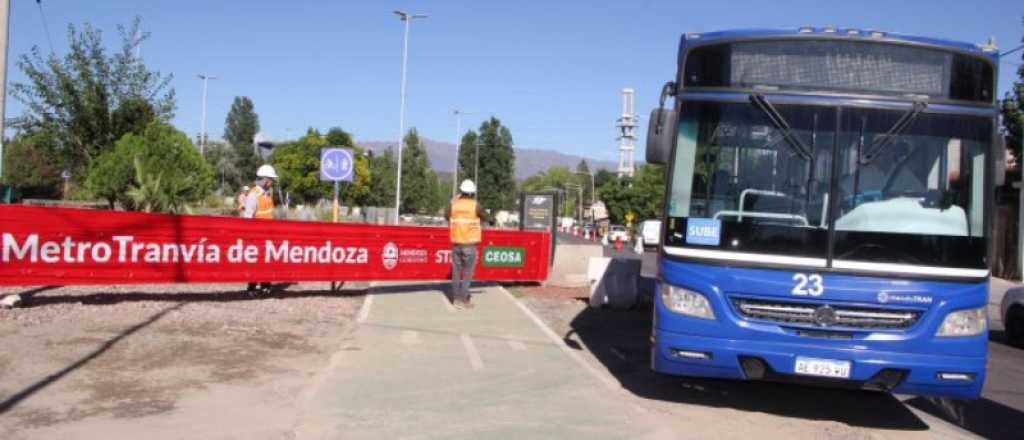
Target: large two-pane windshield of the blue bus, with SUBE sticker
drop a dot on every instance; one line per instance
(777, 181)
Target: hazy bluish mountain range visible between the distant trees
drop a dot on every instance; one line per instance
(528, 161)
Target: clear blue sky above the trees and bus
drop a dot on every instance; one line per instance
(551, 71)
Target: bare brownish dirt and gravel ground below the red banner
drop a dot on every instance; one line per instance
(165, 362)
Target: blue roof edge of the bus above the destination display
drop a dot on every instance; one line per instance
(842, 33)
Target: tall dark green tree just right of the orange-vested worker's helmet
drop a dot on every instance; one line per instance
(497, 184)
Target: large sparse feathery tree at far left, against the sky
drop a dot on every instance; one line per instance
(90, 100)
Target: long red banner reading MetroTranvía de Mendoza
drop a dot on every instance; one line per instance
(58, 246)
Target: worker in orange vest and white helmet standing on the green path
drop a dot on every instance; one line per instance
(464, 215)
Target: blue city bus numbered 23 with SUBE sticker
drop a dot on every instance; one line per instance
(829, 209)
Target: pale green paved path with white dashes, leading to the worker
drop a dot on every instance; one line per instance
(418, 369)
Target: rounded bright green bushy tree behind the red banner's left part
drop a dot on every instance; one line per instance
(168, 163)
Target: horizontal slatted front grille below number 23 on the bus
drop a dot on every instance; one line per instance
(826, 316)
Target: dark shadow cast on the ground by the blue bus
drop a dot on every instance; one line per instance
(620, 340)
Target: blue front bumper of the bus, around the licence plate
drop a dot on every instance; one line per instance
(923, 375)
